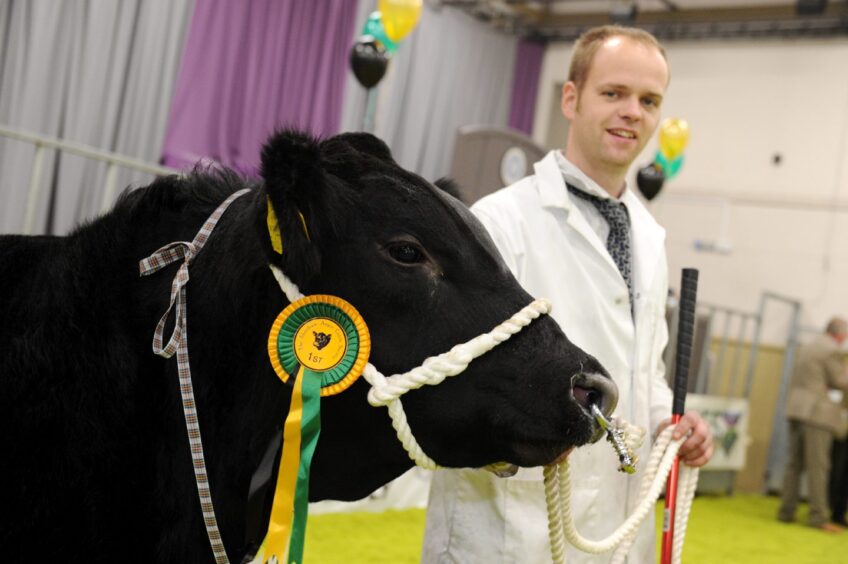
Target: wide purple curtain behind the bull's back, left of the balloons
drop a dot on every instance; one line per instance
(251, 66)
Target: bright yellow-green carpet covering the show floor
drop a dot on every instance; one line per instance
(722, 530)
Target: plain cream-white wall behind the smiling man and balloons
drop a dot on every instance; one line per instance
(746, 101)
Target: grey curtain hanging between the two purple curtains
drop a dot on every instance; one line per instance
(450, 71)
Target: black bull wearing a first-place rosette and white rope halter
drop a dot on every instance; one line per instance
(95, 459)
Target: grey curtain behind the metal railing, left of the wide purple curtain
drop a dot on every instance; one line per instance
(98, 72)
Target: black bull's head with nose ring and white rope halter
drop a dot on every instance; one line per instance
(425, 275)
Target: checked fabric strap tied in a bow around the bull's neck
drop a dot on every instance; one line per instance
(178, 343)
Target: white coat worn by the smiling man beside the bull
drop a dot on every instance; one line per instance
(475, 517)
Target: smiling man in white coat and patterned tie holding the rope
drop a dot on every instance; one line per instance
(561, 246)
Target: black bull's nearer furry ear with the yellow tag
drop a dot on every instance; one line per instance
(295, 186)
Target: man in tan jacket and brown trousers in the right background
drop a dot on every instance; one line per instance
(813, 420)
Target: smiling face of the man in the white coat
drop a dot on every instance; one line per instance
(615, 113)
